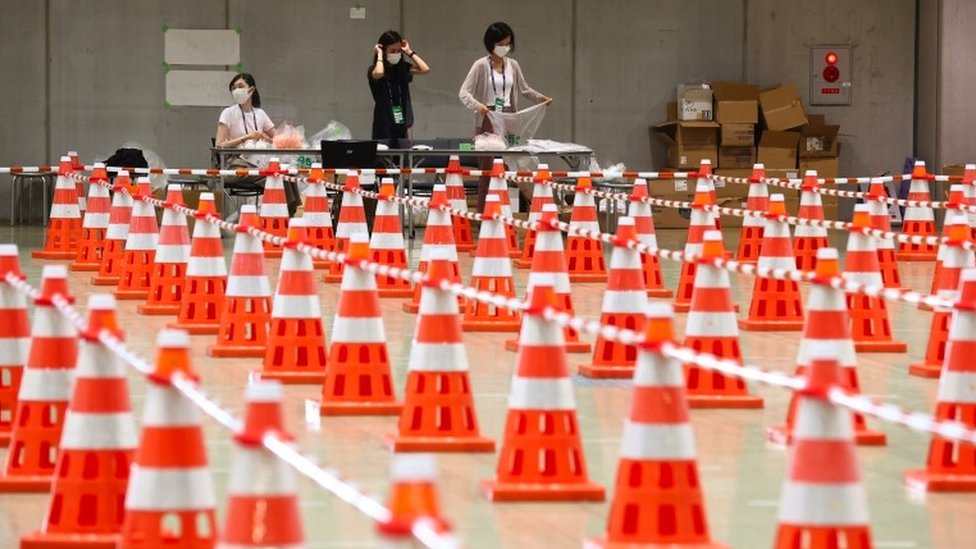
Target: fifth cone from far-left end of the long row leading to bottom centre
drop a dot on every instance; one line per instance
(170, 262)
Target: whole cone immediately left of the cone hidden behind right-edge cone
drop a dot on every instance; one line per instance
(870, 327)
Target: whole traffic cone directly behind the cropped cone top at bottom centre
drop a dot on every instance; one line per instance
(438, 410)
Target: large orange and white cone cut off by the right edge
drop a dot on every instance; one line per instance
(951, 464)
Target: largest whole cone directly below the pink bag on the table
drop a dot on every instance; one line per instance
(296, 340)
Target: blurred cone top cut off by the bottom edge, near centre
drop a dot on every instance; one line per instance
(413, 496)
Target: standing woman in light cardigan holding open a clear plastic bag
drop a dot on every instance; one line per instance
(494, 83)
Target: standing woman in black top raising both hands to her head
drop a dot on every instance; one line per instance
(389, 77)
